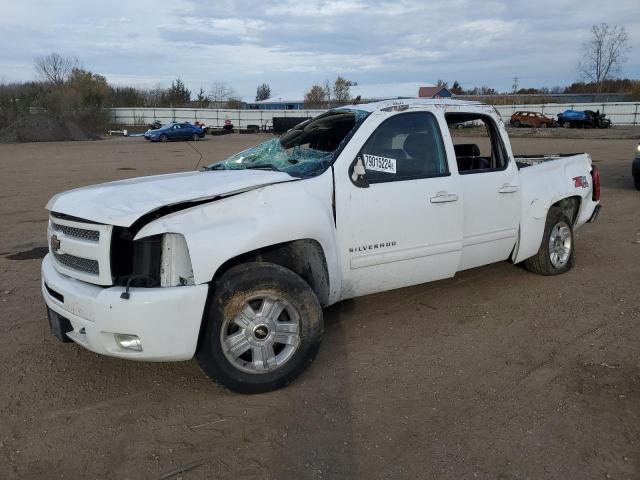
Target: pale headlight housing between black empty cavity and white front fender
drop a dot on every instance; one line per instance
(175, 262)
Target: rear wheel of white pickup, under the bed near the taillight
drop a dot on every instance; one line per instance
(556, 253)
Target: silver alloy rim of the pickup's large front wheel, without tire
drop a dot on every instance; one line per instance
(263, 336)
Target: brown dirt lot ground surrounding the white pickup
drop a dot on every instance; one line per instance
(496, 373)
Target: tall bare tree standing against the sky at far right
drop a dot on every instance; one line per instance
(604, 53)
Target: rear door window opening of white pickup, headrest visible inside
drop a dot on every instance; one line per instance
(485, 151)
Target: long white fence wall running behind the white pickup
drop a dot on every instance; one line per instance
(620, 113)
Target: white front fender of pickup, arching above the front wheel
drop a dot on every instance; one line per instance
(226, 228)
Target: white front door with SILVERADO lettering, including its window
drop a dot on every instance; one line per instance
(400, 224)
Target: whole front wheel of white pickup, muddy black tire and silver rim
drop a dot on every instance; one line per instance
(263, 328)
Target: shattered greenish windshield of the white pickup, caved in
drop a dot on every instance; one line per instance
(306, 150)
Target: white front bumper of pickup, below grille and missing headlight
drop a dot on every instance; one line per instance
(166, 320)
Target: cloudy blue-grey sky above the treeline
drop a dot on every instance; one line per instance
(292, 44)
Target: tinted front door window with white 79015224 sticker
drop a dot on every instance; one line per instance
(407, 146)
